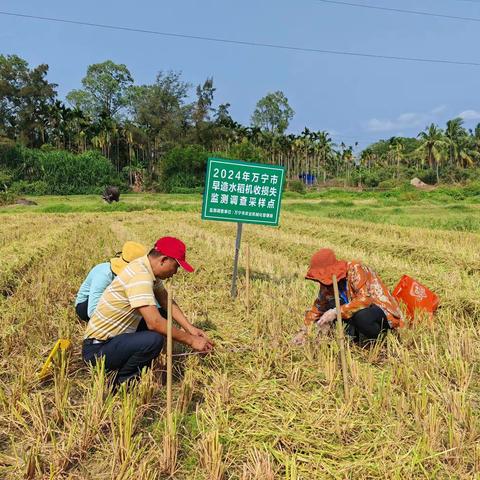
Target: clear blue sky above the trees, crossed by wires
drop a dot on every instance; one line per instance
(356, 99)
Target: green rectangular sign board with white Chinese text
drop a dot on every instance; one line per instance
(245, 192)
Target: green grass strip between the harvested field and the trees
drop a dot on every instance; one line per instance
(403, 206)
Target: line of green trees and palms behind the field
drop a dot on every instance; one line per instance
(159, 135)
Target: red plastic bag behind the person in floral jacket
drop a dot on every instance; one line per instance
(415, 296)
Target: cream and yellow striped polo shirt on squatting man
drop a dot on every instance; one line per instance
(116, 312)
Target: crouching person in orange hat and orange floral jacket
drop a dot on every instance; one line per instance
(367, 307)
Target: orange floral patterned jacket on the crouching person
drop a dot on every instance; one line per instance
(364, 287)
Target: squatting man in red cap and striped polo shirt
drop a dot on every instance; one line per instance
(112, 330)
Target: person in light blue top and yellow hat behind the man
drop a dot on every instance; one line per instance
(101, 276)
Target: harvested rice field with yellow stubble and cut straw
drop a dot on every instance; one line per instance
(257, 408)
